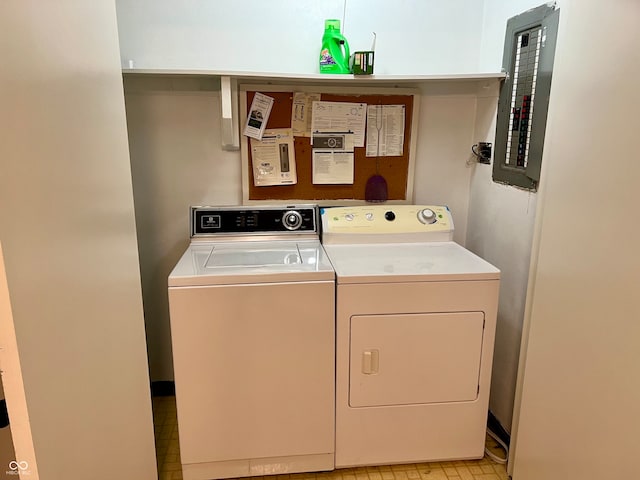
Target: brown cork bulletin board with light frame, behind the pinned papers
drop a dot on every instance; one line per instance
(397, 170)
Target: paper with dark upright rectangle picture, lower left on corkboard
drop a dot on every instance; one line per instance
(273, 158)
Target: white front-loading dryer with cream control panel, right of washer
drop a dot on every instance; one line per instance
(415, 325)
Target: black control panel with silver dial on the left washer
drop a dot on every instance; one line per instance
(249, 220)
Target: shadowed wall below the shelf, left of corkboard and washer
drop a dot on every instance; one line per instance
(176, 161)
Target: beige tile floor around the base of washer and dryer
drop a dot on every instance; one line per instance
(168, 456)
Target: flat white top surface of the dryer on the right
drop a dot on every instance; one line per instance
(408, 262)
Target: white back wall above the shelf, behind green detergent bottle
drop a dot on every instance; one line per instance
(285, 36)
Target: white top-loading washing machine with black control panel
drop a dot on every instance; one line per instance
(252, 325)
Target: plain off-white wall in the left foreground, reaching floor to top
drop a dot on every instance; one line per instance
(68, 233)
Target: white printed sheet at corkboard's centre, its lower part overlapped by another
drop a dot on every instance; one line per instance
(340, 117)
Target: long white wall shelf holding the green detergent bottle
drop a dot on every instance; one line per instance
(315, 77)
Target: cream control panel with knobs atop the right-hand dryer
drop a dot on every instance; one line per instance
(381, 223)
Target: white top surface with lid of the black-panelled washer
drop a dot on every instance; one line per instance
(224, 263)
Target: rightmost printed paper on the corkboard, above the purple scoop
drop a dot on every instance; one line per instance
(385, 130)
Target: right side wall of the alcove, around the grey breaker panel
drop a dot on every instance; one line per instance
(501, 220)
